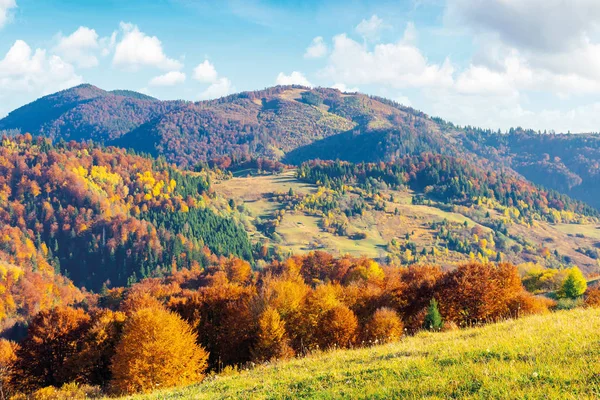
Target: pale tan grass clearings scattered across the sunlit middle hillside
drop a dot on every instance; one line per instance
(301, 233)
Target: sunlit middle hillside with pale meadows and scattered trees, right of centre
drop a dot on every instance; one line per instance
(304, 210)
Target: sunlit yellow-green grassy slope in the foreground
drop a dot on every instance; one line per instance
(552, 356)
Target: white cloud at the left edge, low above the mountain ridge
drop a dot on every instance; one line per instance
(26, 74)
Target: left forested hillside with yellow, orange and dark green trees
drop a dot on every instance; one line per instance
(102, 216)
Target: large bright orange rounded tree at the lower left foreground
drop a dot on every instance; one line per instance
(158, 349)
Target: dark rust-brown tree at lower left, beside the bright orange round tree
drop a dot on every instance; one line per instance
(48, 353)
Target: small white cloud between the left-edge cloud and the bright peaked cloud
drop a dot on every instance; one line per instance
(79, 48)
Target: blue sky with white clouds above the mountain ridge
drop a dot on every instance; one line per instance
(490, 63)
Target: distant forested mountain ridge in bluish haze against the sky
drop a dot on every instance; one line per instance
(294, 124)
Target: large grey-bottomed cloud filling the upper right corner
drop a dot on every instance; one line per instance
(536, 44)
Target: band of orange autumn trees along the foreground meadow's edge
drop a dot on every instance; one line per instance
(173, 330)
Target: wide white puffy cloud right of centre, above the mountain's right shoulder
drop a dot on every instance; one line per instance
(398, 65)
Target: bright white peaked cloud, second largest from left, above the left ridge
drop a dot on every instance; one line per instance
(136, 49)
